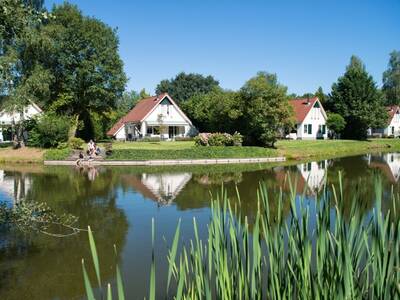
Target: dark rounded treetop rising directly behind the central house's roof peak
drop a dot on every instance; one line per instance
(185, 86)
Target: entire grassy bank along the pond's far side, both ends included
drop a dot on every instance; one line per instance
(292, 150)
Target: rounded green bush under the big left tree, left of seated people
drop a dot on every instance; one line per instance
(49, 131)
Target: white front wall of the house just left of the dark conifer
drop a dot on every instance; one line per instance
(315, 117)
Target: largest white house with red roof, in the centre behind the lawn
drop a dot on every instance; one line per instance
(156, 116)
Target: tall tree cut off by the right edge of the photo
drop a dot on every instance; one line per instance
(391, 79)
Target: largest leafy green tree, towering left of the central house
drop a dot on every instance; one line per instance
(81, 55)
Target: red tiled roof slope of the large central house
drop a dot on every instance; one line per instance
(141, 109)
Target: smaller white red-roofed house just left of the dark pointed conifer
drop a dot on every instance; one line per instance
(310, 119)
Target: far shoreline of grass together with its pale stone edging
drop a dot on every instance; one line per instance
(289, 151)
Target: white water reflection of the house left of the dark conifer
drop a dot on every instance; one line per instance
(314, 173)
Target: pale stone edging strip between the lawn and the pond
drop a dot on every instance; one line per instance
(165, 162)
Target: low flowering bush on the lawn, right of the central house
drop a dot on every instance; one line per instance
(218, 139)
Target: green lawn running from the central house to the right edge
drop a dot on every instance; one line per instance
(290, 149)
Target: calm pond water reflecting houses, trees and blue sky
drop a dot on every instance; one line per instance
(119, 204)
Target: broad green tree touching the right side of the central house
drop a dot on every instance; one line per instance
(216, 111)
